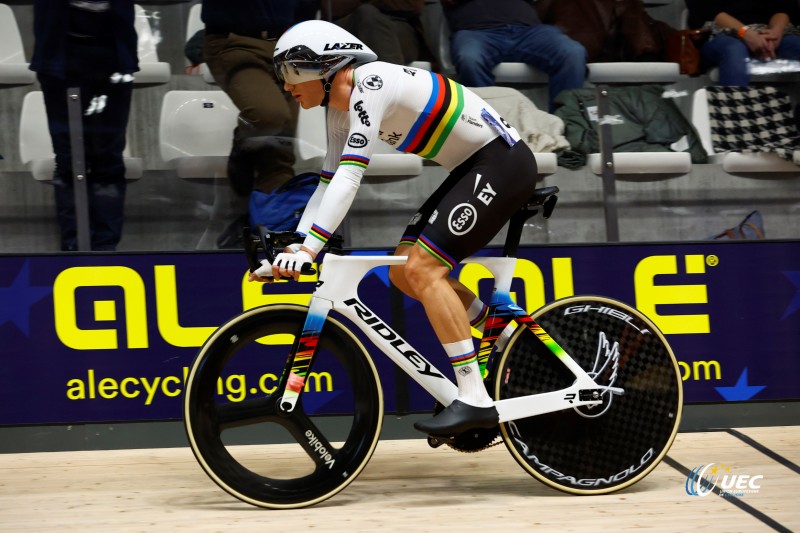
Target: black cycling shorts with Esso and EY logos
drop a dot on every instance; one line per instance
(475, 201)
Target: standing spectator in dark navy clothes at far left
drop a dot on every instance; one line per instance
(90, 45)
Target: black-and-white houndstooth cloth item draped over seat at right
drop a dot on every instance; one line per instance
(752, 119)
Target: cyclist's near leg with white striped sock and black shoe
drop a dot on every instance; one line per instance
(428, 278)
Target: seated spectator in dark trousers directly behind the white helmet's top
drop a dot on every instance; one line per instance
(391, 28)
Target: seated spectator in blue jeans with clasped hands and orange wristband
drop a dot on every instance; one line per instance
(745, 29)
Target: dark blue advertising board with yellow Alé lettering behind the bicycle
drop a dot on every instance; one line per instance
(100, 338)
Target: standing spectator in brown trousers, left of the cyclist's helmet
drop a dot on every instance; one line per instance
(239, 41)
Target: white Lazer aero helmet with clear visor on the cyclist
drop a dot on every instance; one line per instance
(315, 50)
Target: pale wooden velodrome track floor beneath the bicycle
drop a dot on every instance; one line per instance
(406, 486)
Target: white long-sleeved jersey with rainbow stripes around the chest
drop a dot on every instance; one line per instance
(412, 110)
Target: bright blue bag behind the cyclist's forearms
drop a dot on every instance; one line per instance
(281, 209)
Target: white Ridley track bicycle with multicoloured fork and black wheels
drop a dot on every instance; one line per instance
(587, 388)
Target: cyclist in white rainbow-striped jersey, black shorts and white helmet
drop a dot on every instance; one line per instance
(415, 111)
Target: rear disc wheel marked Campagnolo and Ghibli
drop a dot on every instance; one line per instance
(604, 448)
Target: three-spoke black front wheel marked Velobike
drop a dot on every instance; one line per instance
(234, 440)
